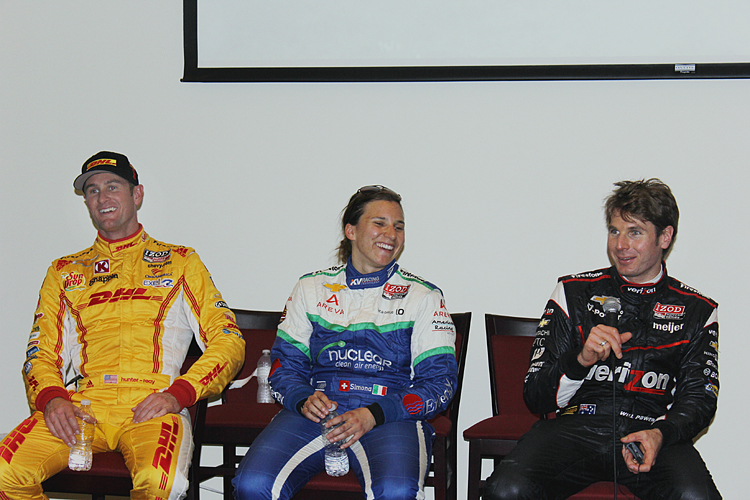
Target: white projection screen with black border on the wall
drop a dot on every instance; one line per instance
(389, 40)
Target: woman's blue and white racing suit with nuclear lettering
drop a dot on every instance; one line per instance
(384, 341)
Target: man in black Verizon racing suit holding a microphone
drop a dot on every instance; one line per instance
(665, 366)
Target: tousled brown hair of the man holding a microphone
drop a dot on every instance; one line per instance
(648, 200)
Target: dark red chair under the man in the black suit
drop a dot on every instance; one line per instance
(509, 341)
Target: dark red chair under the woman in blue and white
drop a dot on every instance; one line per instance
(442, 475)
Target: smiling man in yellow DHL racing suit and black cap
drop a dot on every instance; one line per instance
(118, 318)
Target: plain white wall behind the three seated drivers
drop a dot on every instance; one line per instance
(502, 182)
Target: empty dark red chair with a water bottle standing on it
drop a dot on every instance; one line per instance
(239, 419)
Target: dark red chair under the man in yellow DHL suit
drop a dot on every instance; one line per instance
(109, 475)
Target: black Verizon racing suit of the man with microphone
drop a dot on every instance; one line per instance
(667, 379)
